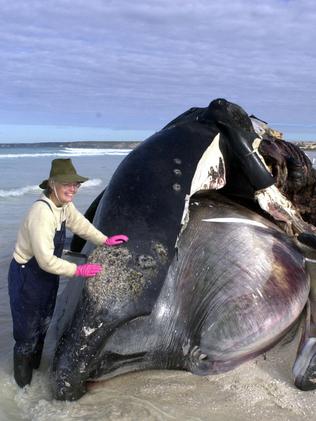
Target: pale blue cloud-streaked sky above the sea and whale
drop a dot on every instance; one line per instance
(121, 69)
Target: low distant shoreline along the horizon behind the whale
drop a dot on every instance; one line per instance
(115, 144)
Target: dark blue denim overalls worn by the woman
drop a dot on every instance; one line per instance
(32, 298)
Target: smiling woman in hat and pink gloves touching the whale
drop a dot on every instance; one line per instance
(36, 265)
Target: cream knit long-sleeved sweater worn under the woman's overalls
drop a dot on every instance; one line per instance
(36, 235)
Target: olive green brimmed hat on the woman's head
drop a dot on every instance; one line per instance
(63, 171)
